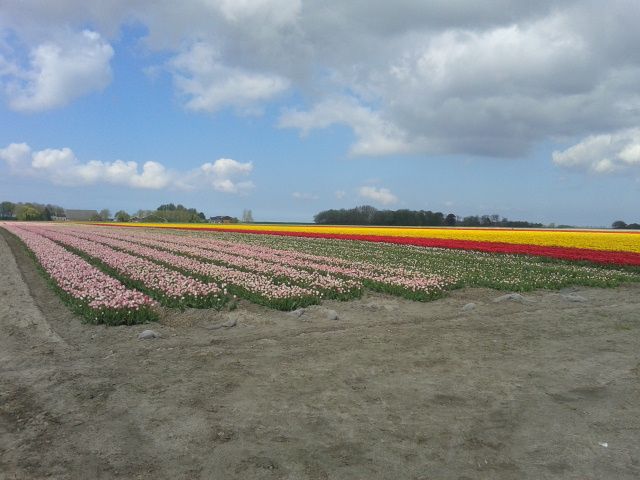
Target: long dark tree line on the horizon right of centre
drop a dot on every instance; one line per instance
(368, 215)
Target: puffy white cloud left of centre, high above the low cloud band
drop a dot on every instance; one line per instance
(209, 85)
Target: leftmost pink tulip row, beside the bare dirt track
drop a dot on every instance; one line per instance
(97, 294)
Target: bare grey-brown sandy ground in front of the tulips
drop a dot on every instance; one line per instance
(541, 388)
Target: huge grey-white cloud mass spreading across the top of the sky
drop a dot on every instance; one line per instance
(445, 77)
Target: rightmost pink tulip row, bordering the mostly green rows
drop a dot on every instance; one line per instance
(385, 278)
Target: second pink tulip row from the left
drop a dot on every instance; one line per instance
(167, 285)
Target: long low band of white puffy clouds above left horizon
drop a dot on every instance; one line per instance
(61, 167)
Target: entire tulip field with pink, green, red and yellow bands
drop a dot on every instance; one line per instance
(111, 274)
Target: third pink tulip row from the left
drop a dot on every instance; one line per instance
(256, 287)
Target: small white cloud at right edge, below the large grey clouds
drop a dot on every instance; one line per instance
(608, 153)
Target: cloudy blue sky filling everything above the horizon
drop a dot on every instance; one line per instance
(529, 110)
